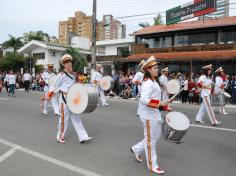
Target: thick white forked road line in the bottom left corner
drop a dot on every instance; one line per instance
(47, 158)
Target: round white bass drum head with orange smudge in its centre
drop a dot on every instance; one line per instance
(78, 97)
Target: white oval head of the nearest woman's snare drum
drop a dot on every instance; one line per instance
(177, 121)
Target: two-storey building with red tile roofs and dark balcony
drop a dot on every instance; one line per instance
(187, 46)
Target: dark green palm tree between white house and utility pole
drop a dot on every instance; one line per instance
(79, 62)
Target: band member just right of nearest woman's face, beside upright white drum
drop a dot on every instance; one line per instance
(163, 81)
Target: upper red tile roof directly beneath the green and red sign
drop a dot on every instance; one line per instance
(227, 21)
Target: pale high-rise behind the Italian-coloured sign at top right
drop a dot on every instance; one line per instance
(222, 10)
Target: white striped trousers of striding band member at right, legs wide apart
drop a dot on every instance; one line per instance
(206, 107)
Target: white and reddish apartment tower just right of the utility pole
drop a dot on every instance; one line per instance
(110, 29)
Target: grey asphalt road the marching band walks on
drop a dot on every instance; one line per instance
(28, 144)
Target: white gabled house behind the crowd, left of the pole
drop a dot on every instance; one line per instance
(48, 53)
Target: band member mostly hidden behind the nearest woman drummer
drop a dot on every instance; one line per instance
(137, 80)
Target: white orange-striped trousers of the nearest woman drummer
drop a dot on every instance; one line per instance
(152, 134)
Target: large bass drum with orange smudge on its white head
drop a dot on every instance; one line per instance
(82, 98)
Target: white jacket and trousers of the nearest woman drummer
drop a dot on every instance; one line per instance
(152, 123)
